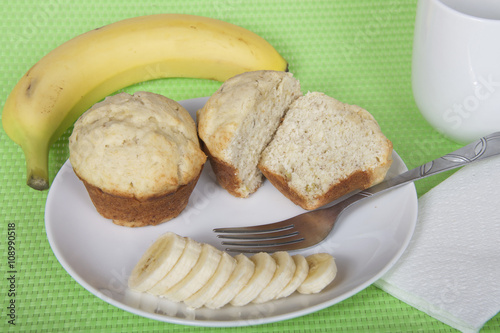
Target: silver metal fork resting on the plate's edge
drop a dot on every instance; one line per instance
(310, 228)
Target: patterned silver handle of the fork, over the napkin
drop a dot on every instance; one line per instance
(483, 148)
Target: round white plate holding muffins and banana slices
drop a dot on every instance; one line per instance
(100, 255)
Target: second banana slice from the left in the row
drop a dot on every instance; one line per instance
(183, 266)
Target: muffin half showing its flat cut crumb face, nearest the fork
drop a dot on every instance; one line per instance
(325, 149)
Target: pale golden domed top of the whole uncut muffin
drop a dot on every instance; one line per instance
(139, 145)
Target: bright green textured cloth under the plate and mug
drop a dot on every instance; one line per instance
(357, 51)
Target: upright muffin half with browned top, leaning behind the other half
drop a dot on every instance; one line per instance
(239, 120)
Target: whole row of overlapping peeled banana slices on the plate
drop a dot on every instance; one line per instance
(181, 269)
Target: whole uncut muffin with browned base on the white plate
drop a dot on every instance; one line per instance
(138, 156)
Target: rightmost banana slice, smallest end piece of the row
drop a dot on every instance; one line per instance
(322, 271)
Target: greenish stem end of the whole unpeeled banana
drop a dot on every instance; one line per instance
(37, 158)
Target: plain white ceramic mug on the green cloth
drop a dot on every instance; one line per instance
(456, 66)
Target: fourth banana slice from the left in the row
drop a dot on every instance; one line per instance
(216, 282)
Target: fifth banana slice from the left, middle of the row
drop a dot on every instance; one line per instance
(241, 275)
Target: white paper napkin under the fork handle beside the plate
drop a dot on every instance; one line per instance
(451, 268)
